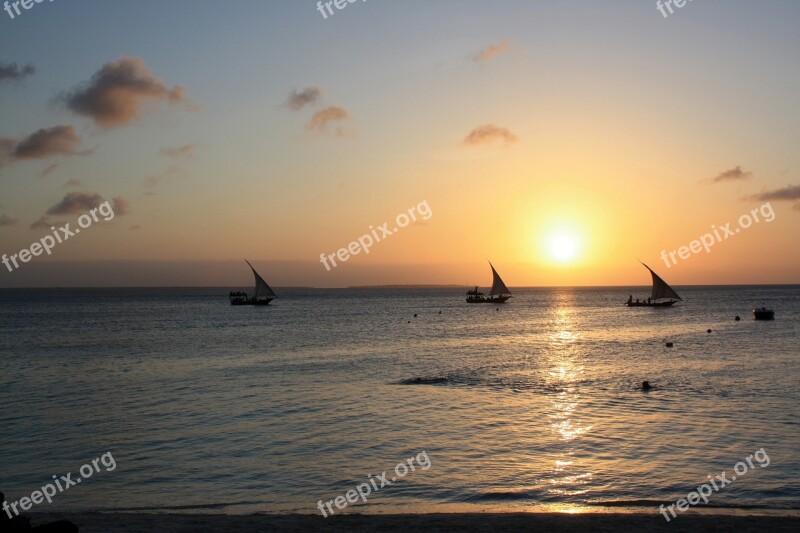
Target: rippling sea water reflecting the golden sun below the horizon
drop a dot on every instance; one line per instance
(533, 405)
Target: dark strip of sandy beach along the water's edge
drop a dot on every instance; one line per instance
(596, 522)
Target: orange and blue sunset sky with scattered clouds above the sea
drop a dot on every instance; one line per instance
(564, 141)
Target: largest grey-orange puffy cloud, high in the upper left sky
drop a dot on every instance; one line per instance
(117, 93)
